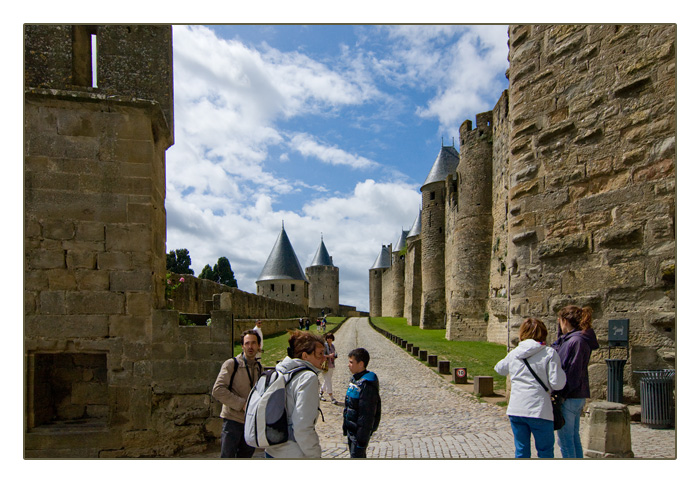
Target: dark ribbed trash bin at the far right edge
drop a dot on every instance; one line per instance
(657, 398)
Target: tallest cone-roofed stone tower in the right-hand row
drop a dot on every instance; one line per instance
(433, 239)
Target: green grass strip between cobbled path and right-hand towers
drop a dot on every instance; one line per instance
(478, 357)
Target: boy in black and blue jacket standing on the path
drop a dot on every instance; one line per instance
(363, 406)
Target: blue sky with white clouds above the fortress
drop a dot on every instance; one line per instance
(331, 129)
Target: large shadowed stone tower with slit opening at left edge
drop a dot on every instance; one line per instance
(94, 236)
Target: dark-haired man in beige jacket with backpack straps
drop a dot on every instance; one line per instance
(235, 381)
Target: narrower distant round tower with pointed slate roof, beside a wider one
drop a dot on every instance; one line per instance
(323, 282)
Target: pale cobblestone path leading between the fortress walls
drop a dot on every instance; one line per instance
(423, 416)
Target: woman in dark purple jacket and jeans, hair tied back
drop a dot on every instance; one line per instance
(574, 346)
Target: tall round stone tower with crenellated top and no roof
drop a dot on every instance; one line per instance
(469, 231)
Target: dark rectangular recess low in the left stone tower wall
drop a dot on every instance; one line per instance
(67, 390)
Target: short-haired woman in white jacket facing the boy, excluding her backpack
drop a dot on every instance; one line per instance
(305, 349)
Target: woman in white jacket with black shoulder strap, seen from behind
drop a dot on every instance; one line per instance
(530, 406)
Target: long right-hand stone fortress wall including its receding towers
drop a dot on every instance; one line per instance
(564, 194)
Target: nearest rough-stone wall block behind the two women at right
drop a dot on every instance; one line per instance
(592, 195)
